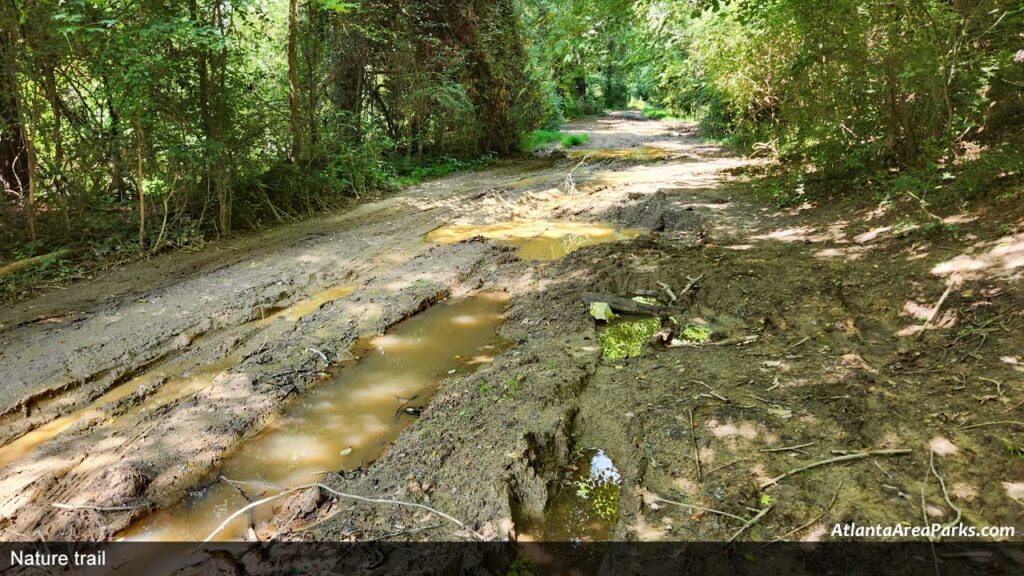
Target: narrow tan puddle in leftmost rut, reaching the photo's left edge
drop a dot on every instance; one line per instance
(178, 383)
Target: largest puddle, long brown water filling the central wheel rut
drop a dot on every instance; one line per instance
(345, 423)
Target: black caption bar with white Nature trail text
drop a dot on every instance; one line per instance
(507, 559)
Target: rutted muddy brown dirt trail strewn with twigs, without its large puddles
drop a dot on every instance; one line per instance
(834, 299)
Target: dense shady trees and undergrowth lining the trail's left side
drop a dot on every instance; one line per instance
(184, 101)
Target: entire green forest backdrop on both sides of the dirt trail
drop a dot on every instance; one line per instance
(135, 128)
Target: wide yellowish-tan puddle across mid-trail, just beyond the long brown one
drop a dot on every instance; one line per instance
(537, 240)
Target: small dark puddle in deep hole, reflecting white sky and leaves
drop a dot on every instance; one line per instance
(585, 508)
